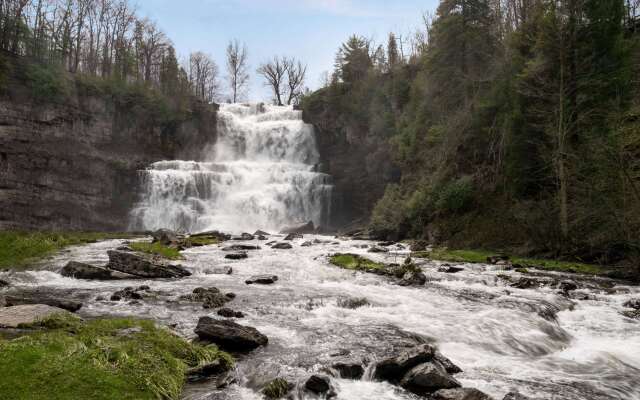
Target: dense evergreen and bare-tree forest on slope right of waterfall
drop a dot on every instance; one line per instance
(511, 124)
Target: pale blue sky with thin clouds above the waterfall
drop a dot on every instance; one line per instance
(310, 30)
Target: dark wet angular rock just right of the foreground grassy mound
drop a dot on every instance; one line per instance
(229, 335)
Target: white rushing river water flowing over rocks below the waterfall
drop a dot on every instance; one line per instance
(503, 338)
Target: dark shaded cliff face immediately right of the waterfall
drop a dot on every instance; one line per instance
(359, 162)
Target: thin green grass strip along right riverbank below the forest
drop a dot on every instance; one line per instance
(480, 256)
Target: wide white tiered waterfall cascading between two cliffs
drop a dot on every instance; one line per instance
(260, 174)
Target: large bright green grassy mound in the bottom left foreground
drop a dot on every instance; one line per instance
(97, 360)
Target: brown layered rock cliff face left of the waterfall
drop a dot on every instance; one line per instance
(74, 165)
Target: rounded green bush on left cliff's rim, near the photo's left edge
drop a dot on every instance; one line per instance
(47, 82)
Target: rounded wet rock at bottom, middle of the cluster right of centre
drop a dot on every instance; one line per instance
(428, 378)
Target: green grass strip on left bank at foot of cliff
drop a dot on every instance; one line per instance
(19, 249)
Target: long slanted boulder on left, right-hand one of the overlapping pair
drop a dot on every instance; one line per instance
(143, 266)
